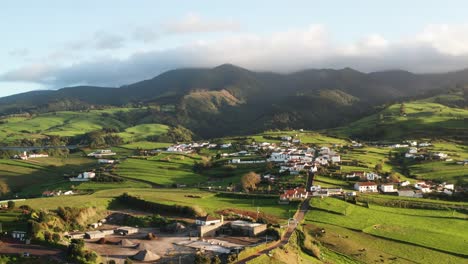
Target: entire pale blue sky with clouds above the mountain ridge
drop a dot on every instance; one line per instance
(52, 44)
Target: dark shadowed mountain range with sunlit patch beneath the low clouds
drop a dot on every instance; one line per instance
(229, 100)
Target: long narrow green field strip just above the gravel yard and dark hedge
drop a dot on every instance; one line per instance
(209, 201)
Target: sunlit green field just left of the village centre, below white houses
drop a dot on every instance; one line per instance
(164, 169)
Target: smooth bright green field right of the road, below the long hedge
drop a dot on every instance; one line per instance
(414, 226)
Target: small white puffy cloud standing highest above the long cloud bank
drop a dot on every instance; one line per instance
(193, 23)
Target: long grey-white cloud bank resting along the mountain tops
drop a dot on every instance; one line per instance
(436, 48)
